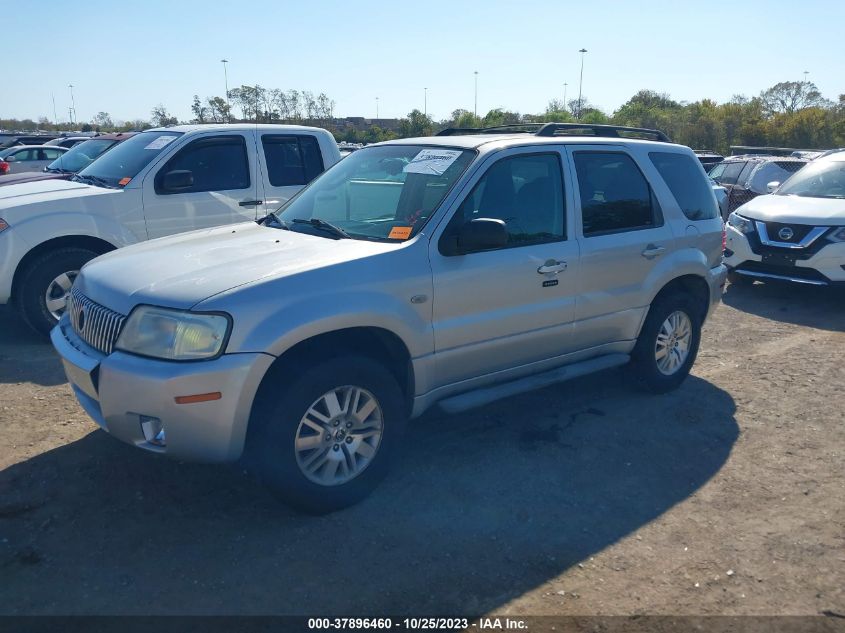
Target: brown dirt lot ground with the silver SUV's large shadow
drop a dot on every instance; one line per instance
(727, 496)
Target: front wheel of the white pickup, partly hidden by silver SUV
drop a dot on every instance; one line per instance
(52, 272)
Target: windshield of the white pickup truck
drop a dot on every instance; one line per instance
(117, 167)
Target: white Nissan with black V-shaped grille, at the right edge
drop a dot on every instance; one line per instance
(795, 234)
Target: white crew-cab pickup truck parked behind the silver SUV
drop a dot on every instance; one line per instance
(157, 183)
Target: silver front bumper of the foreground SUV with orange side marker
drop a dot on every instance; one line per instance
(118, 389)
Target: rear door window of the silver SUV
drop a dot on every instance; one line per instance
(615, 196)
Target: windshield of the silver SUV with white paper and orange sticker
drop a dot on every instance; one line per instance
(384, 193)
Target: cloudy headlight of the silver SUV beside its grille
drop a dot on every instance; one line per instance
(173, 334)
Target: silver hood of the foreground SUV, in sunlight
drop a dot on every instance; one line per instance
(182, 270)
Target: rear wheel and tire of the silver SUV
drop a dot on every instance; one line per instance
(668, 343)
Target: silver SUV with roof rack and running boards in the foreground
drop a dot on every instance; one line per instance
(456, 269)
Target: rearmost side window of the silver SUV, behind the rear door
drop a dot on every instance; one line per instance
(690, 188)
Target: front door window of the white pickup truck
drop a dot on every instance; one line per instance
(216, 163)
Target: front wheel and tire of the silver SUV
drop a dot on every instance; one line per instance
(327, 440)
